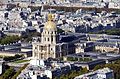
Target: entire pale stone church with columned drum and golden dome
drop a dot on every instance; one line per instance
(49, 45)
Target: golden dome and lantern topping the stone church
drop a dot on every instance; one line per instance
(50, 24)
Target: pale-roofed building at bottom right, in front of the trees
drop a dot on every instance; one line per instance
(104, 73)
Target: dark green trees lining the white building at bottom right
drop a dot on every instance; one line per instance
(115, 66)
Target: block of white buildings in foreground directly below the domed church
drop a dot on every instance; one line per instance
(39, 69)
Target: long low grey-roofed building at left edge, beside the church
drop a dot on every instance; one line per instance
(16, 48)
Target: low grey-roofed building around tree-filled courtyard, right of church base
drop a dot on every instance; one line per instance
(91, 59)
